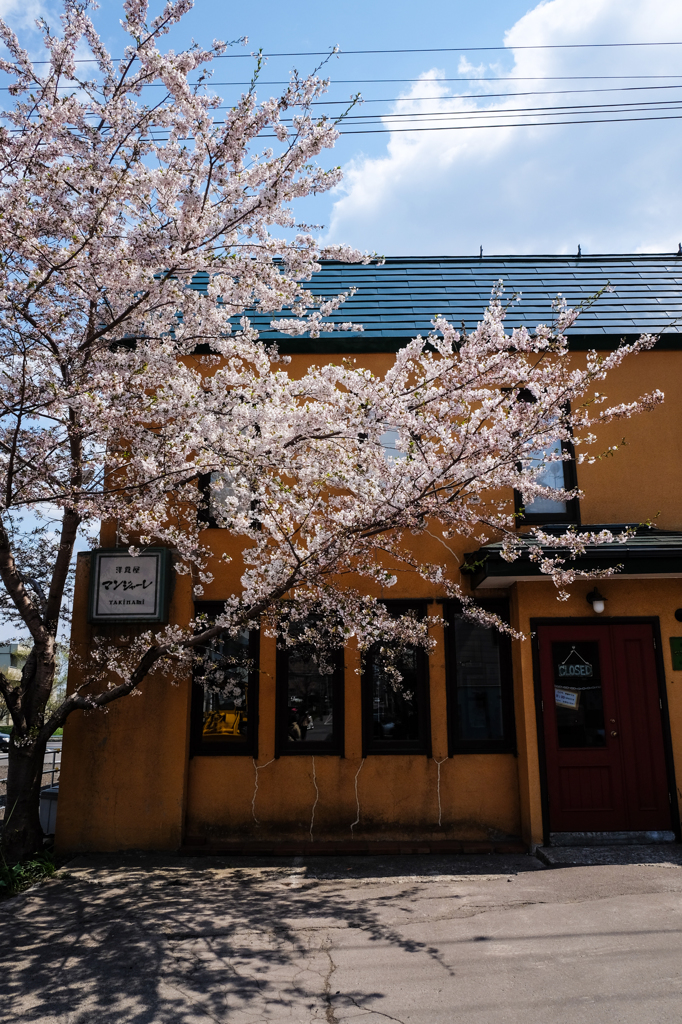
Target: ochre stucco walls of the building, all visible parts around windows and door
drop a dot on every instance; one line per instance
(129, 783)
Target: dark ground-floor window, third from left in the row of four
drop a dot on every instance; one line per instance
(397, 717)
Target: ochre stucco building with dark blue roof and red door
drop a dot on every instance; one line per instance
(579, 729)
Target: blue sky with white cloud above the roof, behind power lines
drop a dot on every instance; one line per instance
(611, 188)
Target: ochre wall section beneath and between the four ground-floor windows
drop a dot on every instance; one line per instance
(398, 795)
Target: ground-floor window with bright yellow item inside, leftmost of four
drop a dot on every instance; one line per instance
(225, 705)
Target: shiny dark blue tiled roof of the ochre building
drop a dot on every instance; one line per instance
(398, 301)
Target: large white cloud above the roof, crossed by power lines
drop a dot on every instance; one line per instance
(610, 188)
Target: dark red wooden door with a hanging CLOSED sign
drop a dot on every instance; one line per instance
(604, 733)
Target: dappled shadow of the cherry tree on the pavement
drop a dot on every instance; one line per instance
(154, 941)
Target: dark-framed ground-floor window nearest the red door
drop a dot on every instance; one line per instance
(481, 708)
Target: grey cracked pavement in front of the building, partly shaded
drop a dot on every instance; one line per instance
(419, 941)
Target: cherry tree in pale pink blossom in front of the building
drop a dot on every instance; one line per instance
(113, 208)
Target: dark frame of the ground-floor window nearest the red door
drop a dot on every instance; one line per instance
(507, 745)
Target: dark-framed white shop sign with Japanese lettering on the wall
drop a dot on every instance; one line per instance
(130, 589)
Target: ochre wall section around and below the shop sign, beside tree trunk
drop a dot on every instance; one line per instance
(124, 772)
